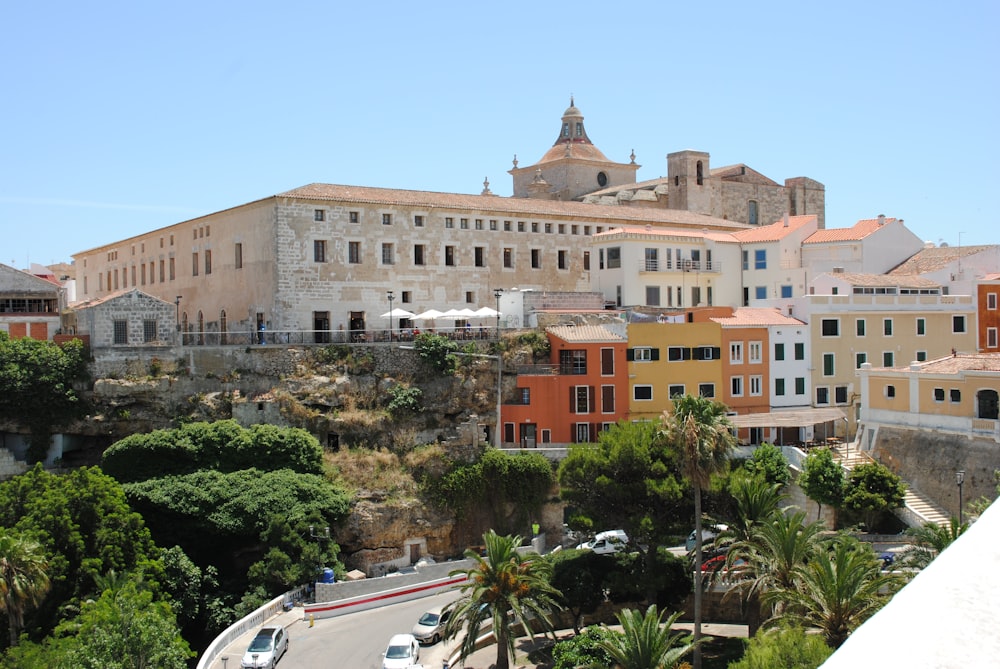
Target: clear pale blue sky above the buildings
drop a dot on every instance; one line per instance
(123, 117)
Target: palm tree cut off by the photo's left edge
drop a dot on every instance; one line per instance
(23, 578)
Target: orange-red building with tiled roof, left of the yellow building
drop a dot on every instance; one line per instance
(583, 389)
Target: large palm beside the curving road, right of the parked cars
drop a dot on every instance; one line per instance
(504, 588)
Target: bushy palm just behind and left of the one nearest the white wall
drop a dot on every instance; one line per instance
(770, 557)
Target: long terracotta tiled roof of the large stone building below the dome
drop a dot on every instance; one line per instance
(508, 206)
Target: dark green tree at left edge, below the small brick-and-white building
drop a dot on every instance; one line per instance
(37, 381)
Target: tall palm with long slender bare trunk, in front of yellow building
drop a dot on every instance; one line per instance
(698, 427)
